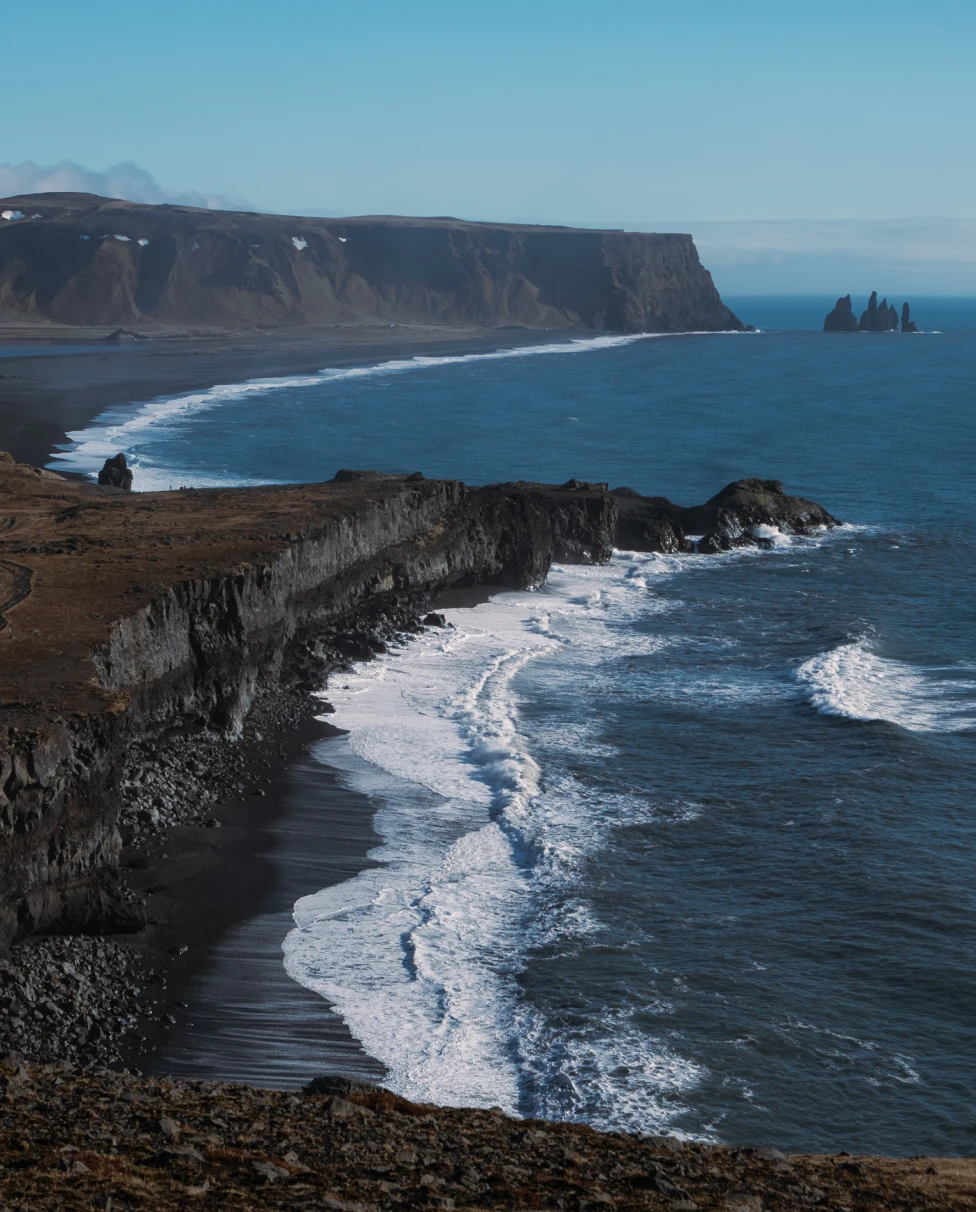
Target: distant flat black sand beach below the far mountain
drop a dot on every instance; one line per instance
(43, 397)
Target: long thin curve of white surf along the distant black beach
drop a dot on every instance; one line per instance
(128, 428)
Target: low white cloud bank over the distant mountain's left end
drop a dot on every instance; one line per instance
(128, 181)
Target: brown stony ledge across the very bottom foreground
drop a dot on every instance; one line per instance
(117, 1142)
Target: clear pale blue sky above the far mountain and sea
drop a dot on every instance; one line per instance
(630, 113)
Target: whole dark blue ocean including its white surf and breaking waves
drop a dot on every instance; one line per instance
(682, 844)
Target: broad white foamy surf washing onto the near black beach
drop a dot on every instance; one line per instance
(481, 864)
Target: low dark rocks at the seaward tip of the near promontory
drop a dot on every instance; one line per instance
(733, 518)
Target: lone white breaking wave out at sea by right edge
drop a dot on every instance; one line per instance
(857, 684)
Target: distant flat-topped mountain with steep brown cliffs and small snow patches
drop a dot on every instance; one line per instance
(77, 259)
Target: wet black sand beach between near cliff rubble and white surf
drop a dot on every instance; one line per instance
(221, 911)
